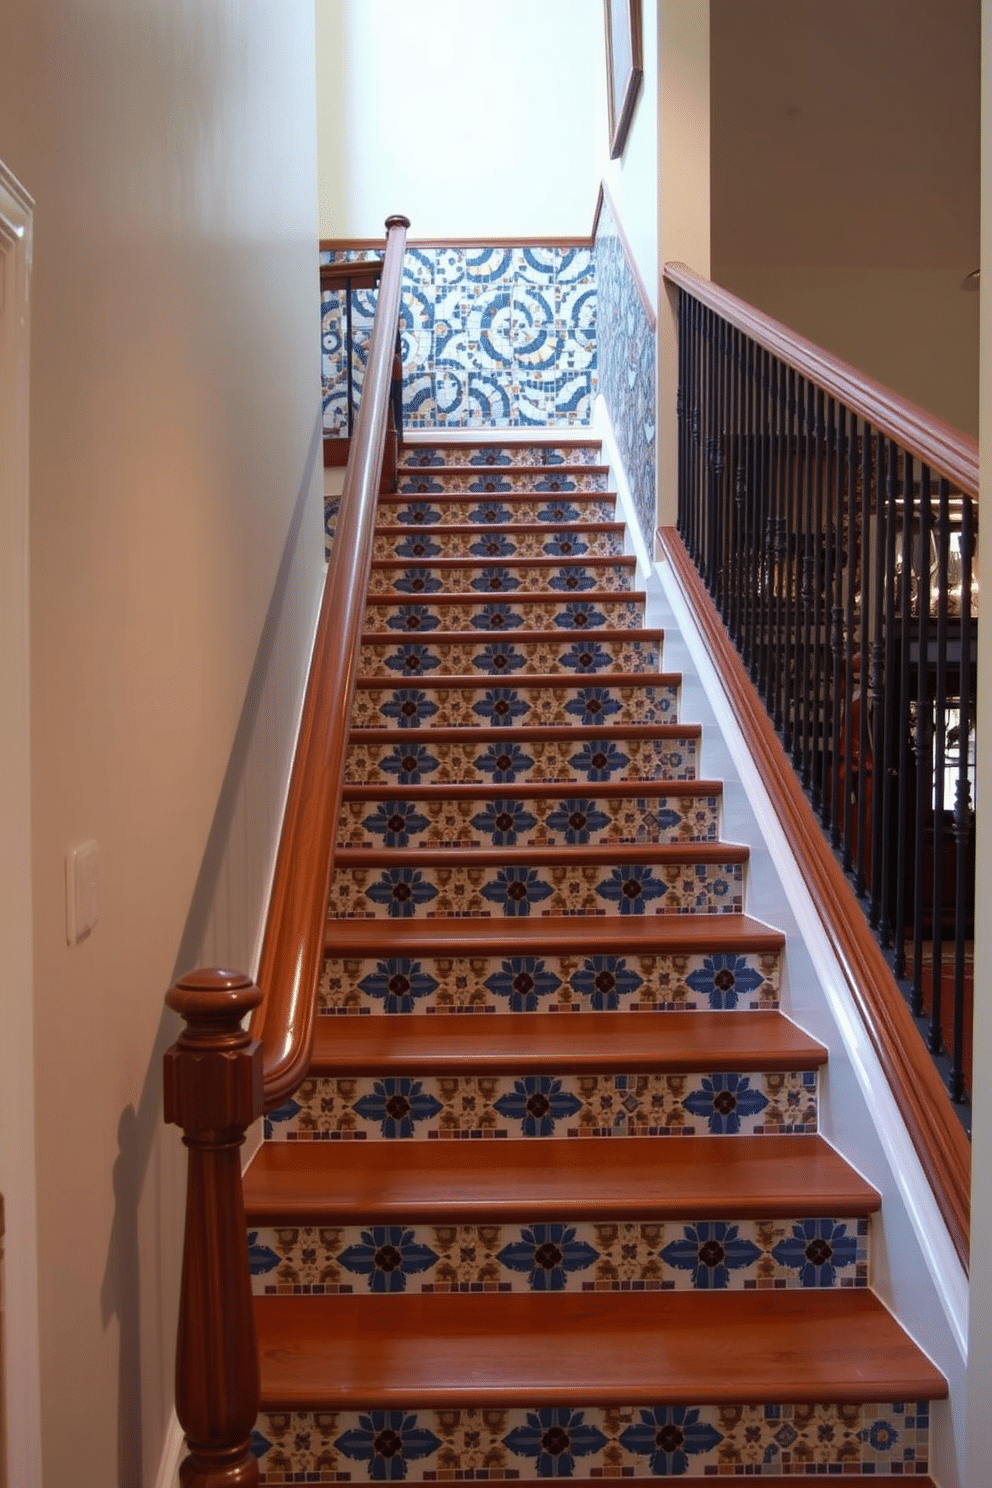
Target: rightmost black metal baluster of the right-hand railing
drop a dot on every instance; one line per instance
(964, 891)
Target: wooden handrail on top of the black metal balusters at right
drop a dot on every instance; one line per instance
(944, 449)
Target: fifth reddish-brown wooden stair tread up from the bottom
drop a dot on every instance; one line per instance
(657, 853)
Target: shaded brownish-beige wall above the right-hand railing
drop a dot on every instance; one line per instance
(846, 182)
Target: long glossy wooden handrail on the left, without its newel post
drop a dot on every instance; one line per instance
(294, 946)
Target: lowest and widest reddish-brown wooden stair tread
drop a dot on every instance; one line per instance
(585, 1349)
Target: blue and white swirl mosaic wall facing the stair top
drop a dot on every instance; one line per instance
(493, 339)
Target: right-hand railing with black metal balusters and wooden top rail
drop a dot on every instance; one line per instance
(835, 527)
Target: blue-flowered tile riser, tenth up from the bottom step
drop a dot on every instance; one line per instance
(420, 617)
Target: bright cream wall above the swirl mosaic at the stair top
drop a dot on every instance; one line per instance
(483, 121)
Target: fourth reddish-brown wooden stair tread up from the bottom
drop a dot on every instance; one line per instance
(579, 935)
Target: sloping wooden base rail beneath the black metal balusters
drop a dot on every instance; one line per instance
(932, 1123)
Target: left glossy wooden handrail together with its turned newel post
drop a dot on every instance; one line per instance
(221, 1078)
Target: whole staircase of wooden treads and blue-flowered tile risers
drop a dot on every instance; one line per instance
(553, 1202)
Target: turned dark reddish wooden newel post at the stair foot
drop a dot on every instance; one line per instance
(213, 1091)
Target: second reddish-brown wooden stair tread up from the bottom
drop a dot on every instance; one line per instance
(527, 1182)
